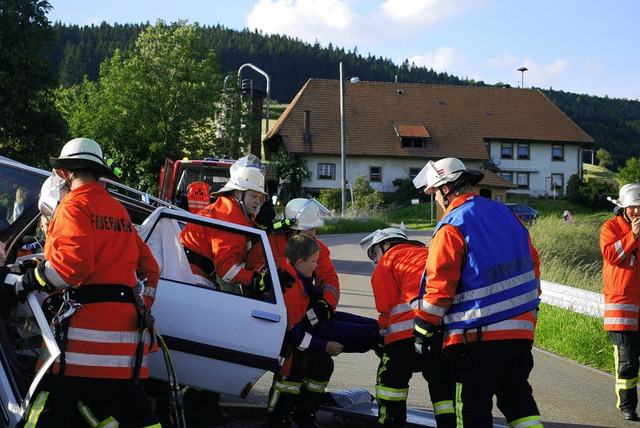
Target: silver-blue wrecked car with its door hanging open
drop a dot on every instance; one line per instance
(218, 341)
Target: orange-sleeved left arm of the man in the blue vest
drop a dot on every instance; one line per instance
(444, 267)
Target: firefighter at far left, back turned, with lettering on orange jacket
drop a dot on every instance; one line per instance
(95, 256)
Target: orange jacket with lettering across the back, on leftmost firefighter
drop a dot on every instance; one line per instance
(91, 240)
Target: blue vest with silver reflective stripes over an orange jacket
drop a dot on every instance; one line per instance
(498, 281)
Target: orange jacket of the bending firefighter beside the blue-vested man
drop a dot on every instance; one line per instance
(396, 287)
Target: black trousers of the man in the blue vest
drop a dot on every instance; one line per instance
(483, 369)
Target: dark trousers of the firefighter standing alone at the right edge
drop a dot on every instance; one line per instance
(626, 352)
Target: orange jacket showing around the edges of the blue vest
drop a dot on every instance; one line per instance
(447, 254)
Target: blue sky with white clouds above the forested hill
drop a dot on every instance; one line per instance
(581, 46)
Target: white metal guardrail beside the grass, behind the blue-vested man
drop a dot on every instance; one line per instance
(577, 300)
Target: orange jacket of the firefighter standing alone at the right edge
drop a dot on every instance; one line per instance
(620, 275)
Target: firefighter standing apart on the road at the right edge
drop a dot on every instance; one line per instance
(621, 278)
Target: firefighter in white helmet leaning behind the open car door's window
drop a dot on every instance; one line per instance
(220, 255)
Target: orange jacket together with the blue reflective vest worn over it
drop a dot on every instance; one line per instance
(482, 271)
